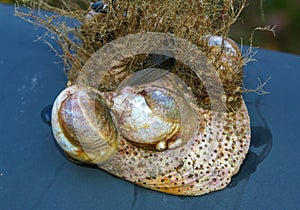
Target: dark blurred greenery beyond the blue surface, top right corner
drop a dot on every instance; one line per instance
(284, 14)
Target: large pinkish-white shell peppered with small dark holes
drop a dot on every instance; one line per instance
(205, 163)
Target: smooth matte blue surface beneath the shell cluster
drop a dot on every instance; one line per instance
(35, 175)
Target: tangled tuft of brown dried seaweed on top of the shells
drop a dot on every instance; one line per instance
(188, 19)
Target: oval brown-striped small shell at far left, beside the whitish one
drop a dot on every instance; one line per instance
(82, 126)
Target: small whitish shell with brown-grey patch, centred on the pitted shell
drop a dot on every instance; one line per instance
(149, 118)
